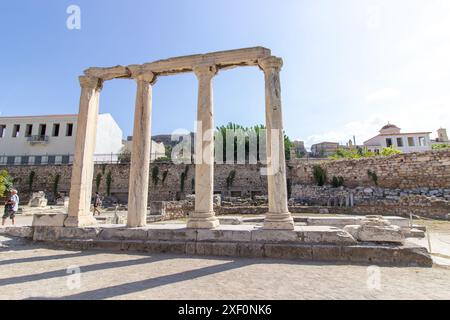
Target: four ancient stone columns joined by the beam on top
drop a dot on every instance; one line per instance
(205, 67)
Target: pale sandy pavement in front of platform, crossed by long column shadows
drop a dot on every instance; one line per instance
(36, 272)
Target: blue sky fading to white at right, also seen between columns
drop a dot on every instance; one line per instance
(349, 65)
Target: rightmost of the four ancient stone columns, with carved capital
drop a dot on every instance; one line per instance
(278, 216)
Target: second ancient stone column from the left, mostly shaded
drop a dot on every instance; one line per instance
(140, 153)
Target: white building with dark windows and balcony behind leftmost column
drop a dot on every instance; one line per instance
(51, 139)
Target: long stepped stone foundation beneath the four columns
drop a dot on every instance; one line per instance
(316, 243)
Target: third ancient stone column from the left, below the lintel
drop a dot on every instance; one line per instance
(203, 217)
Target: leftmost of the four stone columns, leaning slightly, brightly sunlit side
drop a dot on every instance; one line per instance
(83, 164)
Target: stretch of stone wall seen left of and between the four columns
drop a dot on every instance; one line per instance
(247, 181)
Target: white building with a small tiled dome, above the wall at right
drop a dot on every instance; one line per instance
(390, 135)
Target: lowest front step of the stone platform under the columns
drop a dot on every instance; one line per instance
(352, 254)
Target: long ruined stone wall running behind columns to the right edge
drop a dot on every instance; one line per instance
(402, 180)
